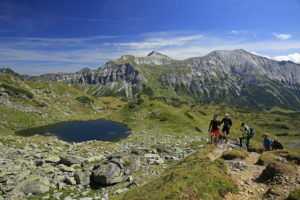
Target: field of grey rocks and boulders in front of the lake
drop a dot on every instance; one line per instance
(54, 169)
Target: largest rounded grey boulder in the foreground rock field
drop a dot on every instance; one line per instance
(108, 174)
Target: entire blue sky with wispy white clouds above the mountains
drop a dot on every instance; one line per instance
(45, 36)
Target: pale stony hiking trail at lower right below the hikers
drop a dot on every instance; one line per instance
(246, 175)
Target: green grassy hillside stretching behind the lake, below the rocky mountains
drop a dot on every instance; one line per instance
(52, 102)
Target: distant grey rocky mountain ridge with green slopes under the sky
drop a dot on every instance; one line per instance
(234, 77)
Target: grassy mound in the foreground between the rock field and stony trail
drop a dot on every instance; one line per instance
(196, 177)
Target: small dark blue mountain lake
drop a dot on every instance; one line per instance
(80, 131)
